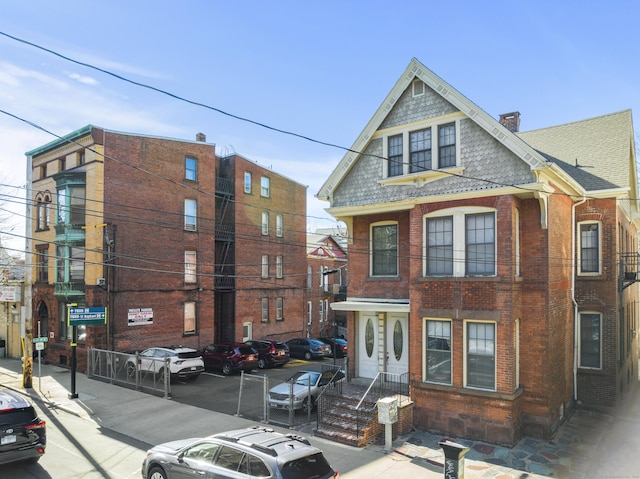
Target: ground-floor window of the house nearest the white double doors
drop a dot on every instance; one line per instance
(437, 356)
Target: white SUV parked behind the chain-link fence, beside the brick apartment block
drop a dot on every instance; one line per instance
(184, 363)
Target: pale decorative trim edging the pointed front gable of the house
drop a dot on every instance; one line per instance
(417, 70)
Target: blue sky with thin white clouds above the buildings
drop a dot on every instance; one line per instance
(317, 69)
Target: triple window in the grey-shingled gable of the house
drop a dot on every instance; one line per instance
(428, 148)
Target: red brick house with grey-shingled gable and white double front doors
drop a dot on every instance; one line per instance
(496, 267)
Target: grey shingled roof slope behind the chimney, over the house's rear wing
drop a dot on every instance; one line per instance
(598, 152)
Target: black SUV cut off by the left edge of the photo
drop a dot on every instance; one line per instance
(22, 433)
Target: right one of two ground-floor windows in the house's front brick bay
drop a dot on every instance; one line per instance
(480, 355)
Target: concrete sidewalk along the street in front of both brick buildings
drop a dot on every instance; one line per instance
(588, 446)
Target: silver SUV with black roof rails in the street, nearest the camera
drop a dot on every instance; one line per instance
(244, 453)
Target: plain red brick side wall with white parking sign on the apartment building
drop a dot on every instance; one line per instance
(145, 190)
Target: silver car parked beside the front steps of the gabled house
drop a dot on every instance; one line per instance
(306, 387)
